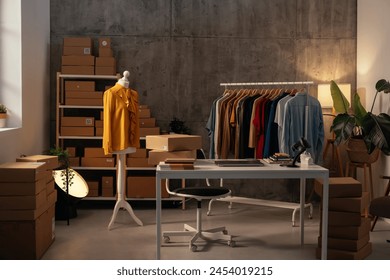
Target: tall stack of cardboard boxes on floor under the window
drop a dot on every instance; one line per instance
(27, 207)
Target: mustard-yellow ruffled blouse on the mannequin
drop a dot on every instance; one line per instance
(120, 119)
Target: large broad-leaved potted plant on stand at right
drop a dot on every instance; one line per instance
(356, 125)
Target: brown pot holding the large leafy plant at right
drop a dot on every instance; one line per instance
(357, 151)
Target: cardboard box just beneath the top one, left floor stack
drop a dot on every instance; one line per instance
(22, 188)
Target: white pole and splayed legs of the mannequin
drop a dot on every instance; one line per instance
(121, 188)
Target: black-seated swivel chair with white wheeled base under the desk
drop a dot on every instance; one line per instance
(199, 193)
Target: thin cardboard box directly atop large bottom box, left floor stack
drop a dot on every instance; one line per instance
(28, 214)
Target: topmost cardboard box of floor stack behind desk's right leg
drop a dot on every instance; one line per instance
(340, 187)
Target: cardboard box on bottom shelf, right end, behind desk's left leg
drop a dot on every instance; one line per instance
(144, 187)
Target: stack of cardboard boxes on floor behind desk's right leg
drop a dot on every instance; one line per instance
(348, 224)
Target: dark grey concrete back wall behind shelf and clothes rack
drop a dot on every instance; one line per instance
(178, 51)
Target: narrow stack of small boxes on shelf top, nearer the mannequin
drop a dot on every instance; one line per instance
(105, 63)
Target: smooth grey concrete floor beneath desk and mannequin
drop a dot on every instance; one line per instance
(261, 233)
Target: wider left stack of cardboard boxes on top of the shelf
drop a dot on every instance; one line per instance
(77, 56)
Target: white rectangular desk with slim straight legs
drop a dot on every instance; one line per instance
(207, 169)
